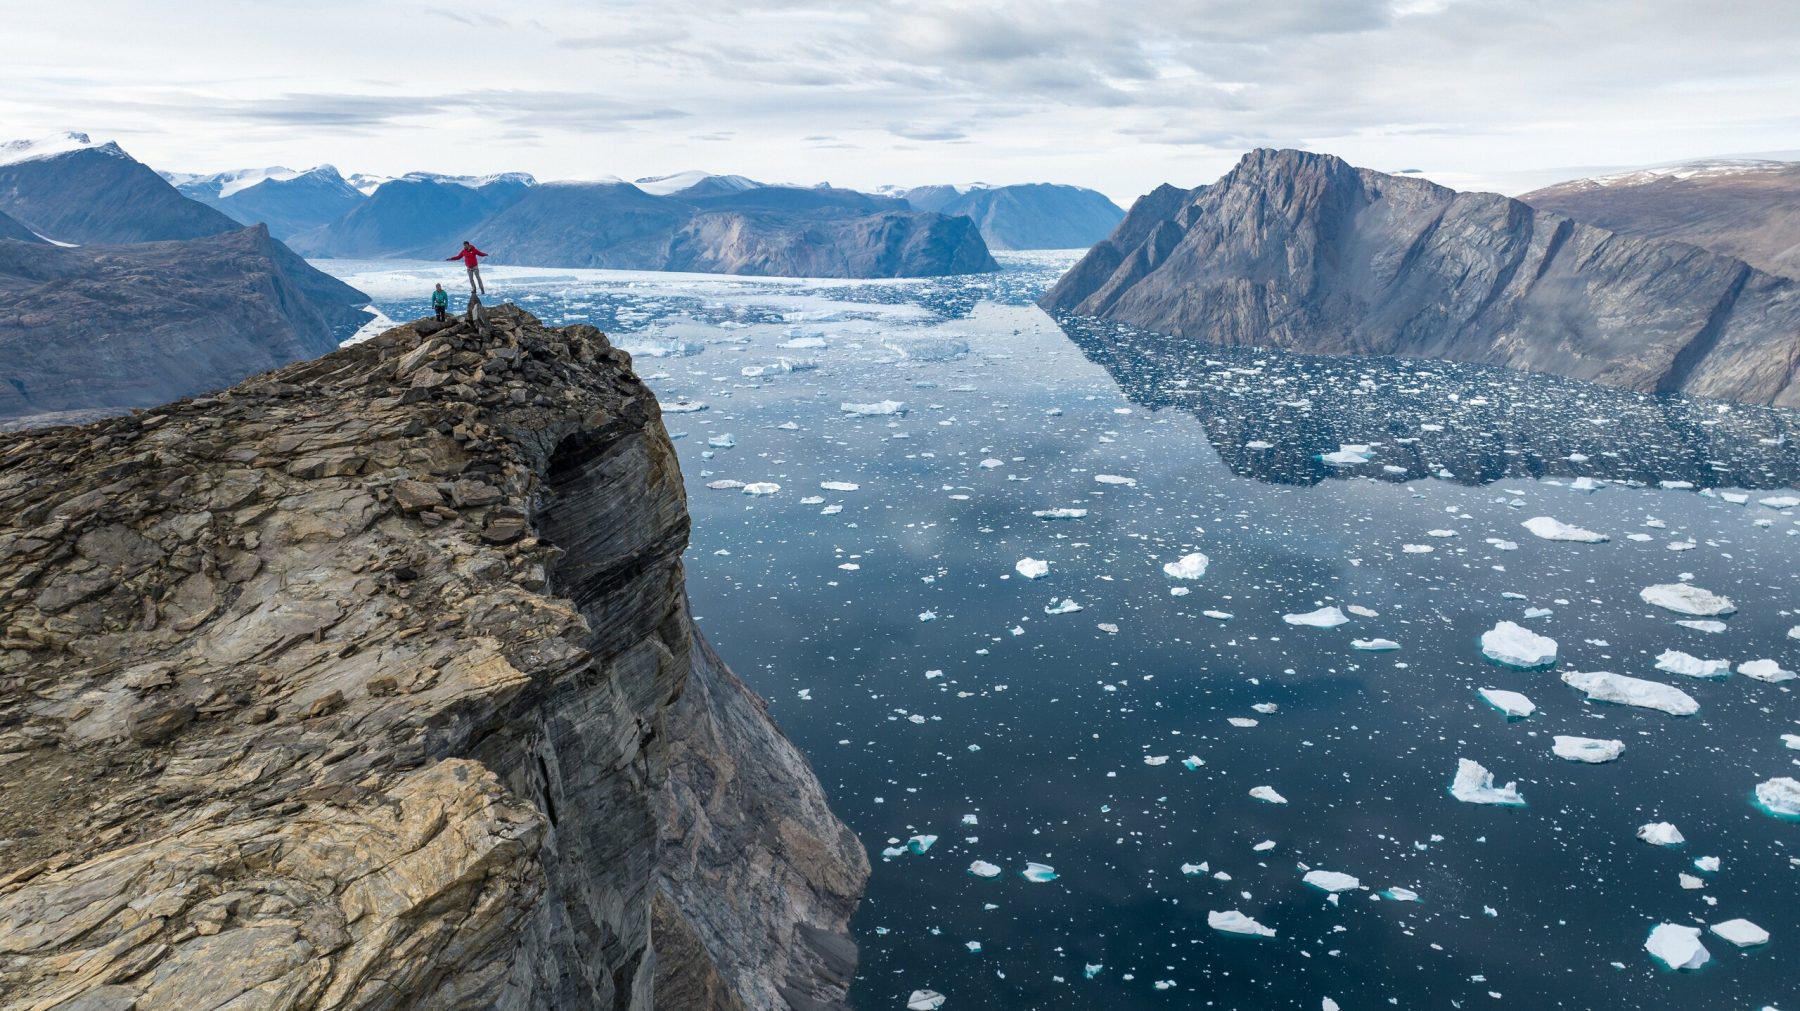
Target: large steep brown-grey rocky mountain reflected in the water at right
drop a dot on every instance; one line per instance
(1306, 253)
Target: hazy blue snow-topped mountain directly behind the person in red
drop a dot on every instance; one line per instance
(420, 215)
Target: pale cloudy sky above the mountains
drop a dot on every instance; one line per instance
(1113, 94)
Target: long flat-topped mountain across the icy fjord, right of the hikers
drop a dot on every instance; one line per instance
(759, 231)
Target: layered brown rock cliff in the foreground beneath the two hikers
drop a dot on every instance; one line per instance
(370, 683)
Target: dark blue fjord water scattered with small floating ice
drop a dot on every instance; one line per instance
(901, 647)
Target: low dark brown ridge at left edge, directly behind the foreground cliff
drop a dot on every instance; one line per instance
(98, 330)
